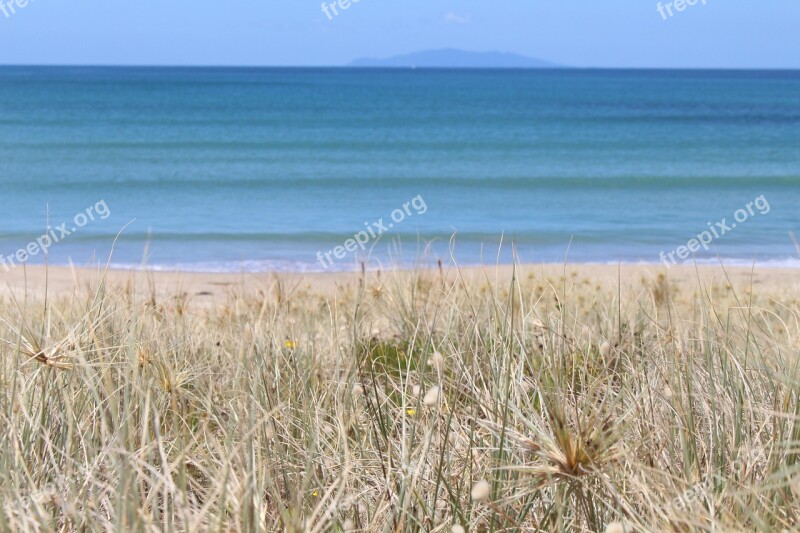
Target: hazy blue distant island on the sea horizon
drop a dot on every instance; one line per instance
(451, 58)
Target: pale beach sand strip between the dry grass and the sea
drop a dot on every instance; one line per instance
(212, 288)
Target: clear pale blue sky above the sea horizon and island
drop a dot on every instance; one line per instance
(588, 33)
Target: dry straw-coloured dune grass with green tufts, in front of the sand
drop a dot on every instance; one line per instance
(411, 401)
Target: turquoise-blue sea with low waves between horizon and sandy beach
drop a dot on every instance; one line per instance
(259, 169)
